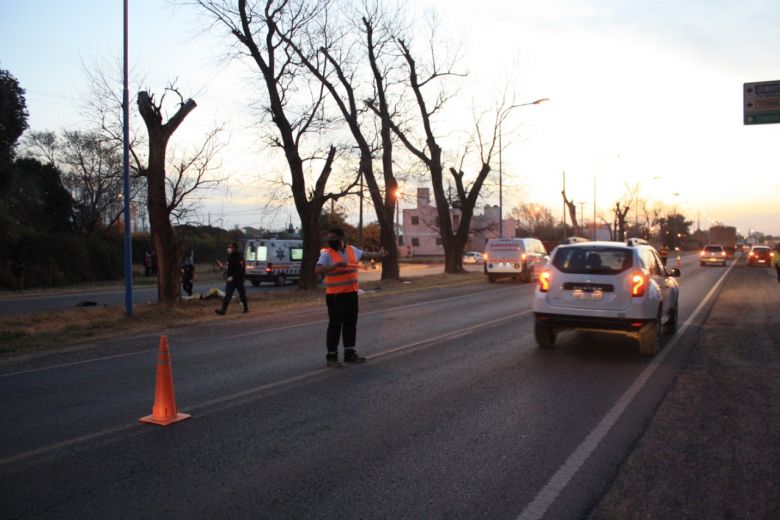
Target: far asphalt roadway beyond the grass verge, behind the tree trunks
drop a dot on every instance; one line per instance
(60, 299)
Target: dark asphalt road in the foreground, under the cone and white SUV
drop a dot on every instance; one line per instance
(456, 414)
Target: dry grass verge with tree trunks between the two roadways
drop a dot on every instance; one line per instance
(53, 330)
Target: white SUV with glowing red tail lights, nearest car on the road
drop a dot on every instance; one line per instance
(607, 286)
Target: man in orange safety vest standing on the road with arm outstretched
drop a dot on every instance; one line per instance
(339, 263)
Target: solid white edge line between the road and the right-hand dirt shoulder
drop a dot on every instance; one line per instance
(548, 494)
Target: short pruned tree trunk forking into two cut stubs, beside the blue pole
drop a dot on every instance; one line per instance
(158, 204)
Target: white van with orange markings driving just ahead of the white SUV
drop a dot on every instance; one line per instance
(514, 257)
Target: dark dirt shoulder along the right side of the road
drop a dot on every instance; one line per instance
(711, 451)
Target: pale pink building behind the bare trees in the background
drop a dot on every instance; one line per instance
(421, 227)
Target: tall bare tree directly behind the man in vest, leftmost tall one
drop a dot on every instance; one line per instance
(265, 29)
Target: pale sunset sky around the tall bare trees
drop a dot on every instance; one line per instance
(645, 93)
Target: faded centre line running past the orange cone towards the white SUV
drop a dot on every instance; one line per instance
(410, 347)
